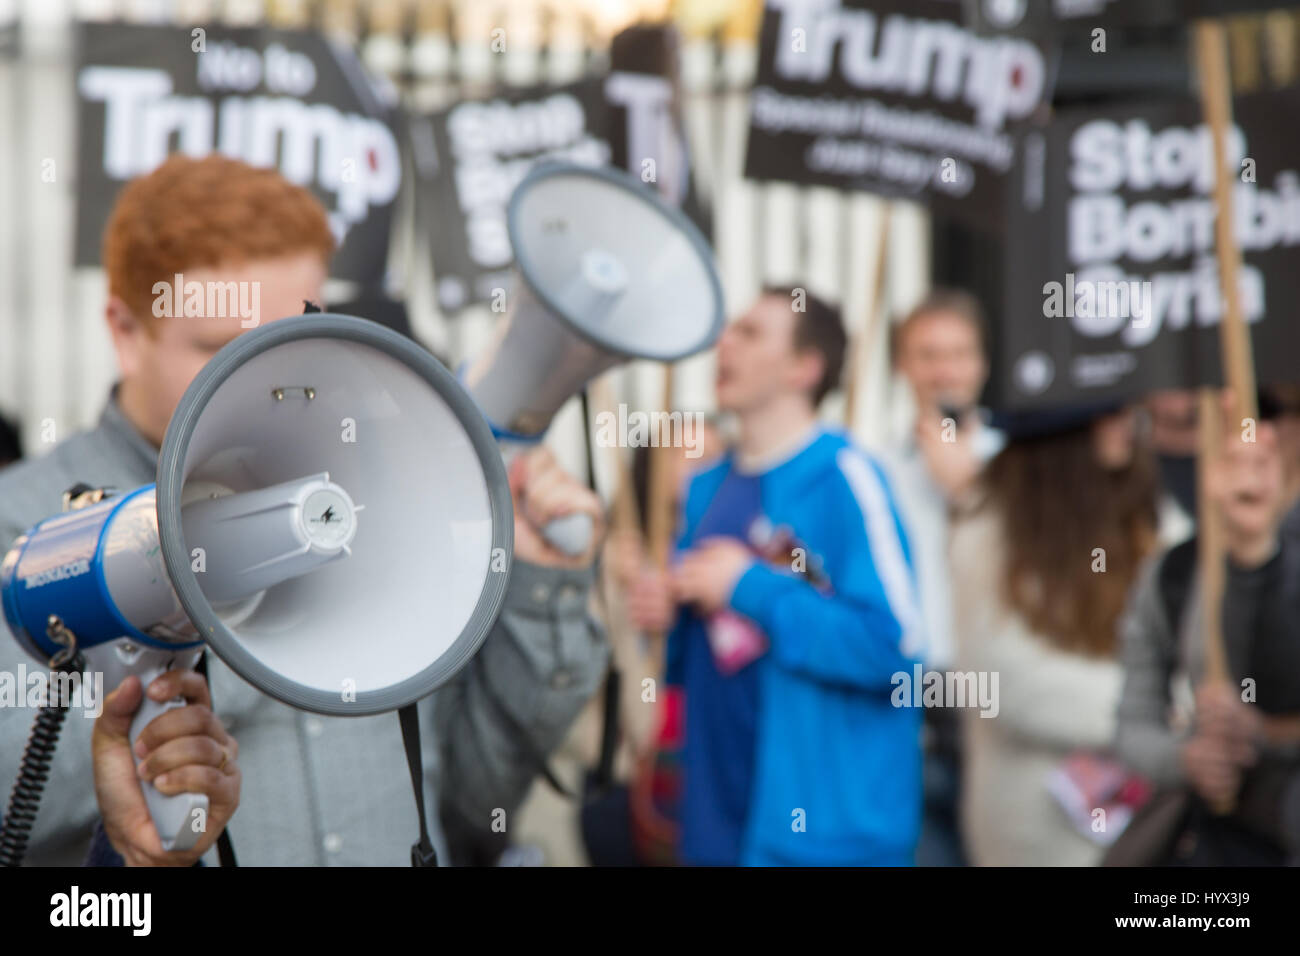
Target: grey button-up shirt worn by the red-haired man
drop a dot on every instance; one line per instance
(330, 791)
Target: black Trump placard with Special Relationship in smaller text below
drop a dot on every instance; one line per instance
(892, 97)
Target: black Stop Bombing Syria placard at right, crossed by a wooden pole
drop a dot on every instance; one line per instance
(1112, 283)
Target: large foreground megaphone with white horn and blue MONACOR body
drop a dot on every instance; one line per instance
(331, 517)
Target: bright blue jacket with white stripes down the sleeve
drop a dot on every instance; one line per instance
(835, 777)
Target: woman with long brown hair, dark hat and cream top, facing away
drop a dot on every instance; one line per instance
(1043, 560)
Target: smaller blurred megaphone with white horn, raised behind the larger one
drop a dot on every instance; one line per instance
(605, 272)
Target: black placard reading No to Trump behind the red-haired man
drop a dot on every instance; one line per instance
(272, 98)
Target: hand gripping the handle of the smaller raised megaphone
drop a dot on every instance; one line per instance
(547, 498)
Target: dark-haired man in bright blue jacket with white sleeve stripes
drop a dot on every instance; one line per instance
(796, 607)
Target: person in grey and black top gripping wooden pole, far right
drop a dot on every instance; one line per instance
(1234, 743)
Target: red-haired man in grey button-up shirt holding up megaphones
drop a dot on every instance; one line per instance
(315, 790)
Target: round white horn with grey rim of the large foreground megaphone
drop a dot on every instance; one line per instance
(350, 490)
